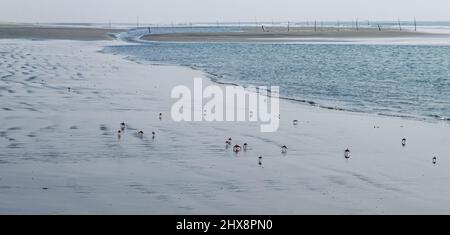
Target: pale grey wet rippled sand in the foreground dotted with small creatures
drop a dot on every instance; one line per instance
(60, 151)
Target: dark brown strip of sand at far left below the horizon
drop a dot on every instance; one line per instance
(10, 31)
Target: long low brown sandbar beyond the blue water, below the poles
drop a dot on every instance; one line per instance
(281, 34)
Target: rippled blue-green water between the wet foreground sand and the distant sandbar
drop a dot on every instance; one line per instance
(403, 80)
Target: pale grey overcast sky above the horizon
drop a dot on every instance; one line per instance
(166, 11)
